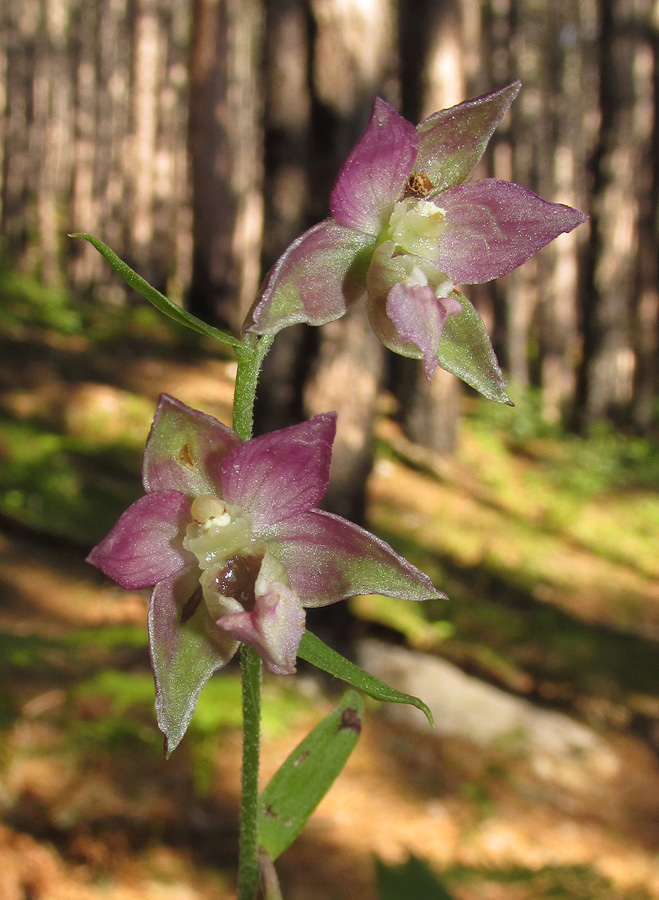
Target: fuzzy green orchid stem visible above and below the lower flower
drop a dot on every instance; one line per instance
(251, 354)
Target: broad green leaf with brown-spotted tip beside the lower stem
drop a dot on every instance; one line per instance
(305, 777)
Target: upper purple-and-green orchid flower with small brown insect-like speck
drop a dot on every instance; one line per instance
(405, 229)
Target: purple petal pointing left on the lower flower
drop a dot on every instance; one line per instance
(144, 547)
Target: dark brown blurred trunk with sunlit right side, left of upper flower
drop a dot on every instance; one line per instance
(226, 158)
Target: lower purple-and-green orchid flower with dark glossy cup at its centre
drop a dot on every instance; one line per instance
(229, 537)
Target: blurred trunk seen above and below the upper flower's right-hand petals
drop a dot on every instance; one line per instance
(432, 77)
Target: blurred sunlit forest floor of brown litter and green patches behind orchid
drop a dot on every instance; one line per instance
(546, 547)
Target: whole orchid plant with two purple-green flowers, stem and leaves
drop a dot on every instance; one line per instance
(228, 534)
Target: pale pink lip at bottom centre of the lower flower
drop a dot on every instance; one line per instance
(274, 628)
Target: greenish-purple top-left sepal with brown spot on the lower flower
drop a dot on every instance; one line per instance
(185, 449)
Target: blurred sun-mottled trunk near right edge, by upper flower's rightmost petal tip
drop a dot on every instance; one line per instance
(605, 375)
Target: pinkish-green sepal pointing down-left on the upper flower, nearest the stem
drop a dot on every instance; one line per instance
(315, 281)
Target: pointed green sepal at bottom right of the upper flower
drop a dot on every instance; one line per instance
(466, 351)
